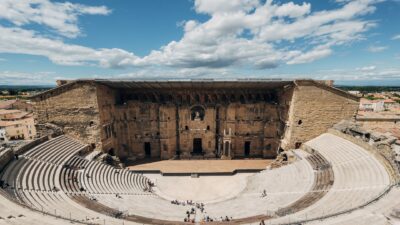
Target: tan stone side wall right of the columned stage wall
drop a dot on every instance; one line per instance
(315, 108)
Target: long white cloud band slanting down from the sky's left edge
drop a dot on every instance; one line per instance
(16, 40)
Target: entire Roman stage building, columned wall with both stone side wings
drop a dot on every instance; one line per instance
(190, 119)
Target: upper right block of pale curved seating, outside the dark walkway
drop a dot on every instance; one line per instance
(359, 178)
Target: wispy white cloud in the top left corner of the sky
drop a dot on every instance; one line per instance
(61, 17)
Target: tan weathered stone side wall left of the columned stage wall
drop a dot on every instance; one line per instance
(74, 108)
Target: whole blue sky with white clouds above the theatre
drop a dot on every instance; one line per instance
(352, 42)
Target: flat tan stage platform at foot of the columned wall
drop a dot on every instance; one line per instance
(201, 167)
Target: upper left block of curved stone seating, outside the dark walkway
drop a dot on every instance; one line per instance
(34, 181)
